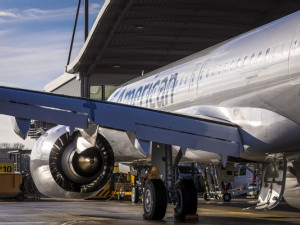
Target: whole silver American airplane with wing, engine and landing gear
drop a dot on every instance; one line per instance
(238, 99)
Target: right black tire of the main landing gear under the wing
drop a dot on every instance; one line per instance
(188, 201)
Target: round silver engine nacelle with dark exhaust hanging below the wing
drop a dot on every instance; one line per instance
(59, 171)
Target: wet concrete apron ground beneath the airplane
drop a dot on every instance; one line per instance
(58, 212)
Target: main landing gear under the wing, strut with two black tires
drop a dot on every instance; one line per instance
(169, 189)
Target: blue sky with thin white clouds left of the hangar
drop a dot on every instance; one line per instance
(34, 45)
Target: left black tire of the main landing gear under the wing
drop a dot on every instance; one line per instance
(154, 200)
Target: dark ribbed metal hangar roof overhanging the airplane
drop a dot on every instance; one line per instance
(131, 36)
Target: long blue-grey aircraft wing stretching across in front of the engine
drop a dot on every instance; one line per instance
(147, 125)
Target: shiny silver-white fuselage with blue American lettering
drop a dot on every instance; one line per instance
(252, 80)
